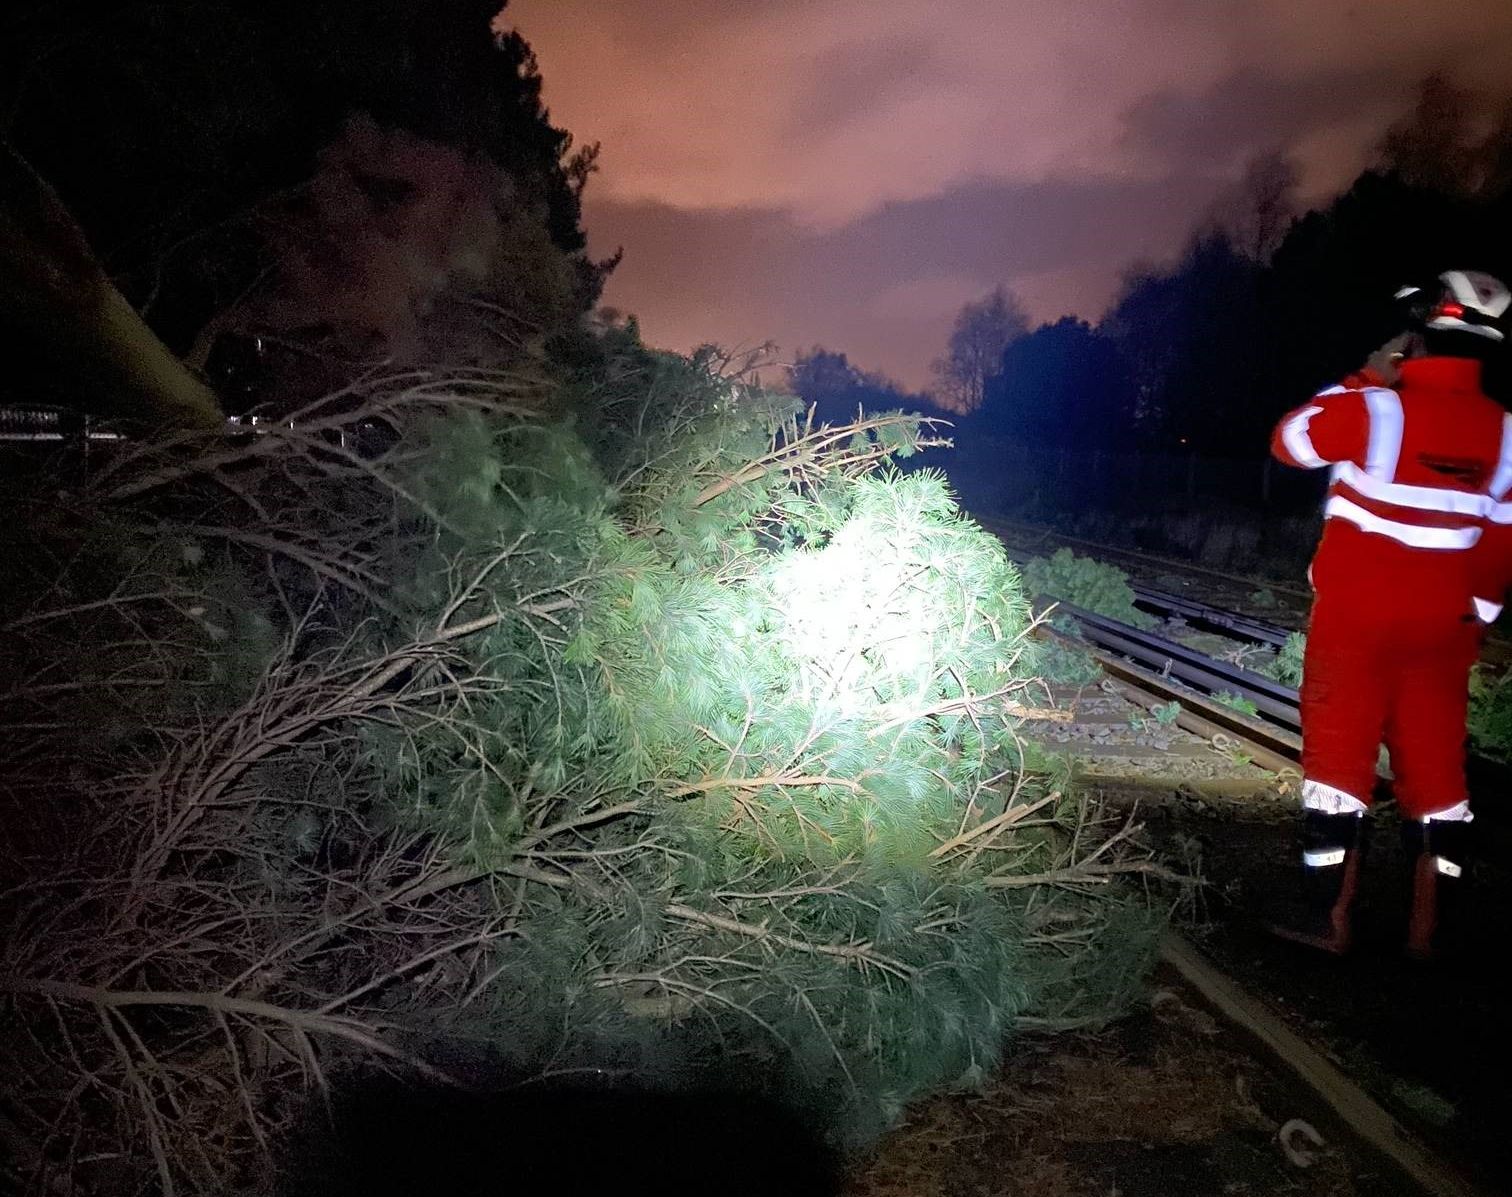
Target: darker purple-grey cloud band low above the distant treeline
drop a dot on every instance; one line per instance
(887, 286)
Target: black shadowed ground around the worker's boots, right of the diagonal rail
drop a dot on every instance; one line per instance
(1431, 1044)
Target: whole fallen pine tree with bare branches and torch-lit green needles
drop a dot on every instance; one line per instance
(668, 737)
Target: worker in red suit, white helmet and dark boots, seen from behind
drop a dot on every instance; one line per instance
(1411, 568)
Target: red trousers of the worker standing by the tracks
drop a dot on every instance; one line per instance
(1380, 673)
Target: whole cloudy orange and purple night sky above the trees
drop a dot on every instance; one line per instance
(849, 173)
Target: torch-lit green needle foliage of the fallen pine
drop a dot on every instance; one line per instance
(799, 661)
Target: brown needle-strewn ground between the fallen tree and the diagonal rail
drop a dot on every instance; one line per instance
(1168, 1103)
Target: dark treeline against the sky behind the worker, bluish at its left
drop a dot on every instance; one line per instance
(1263, 308)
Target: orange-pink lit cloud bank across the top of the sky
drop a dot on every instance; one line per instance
(834, 108)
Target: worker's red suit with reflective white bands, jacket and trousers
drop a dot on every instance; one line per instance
(1413, 564)
